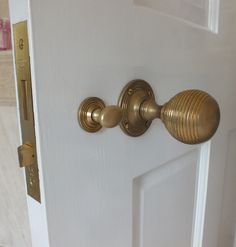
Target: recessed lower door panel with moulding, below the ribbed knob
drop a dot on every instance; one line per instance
(172, 198)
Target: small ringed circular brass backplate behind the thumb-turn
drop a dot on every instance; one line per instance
(85, 114)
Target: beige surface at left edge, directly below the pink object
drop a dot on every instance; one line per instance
(7, 86)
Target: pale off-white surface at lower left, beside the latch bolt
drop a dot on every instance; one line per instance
(14, 225)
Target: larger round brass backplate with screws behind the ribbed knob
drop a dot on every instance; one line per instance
(130, 100)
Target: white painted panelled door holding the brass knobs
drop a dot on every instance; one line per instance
(108, 189)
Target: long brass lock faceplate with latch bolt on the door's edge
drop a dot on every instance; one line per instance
(26, 155)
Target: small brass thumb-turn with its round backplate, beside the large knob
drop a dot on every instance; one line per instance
(93, 115)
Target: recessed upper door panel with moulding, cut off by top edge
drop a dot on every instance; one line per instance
(202, 13)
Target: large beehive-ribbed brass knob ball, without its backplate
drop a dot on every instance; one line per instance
(191, 116)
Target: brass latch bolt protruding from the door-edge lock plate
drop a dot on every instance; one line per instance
(27, 154)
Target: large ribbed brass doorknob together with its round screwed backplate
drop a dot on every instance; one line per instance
(191, 116)
